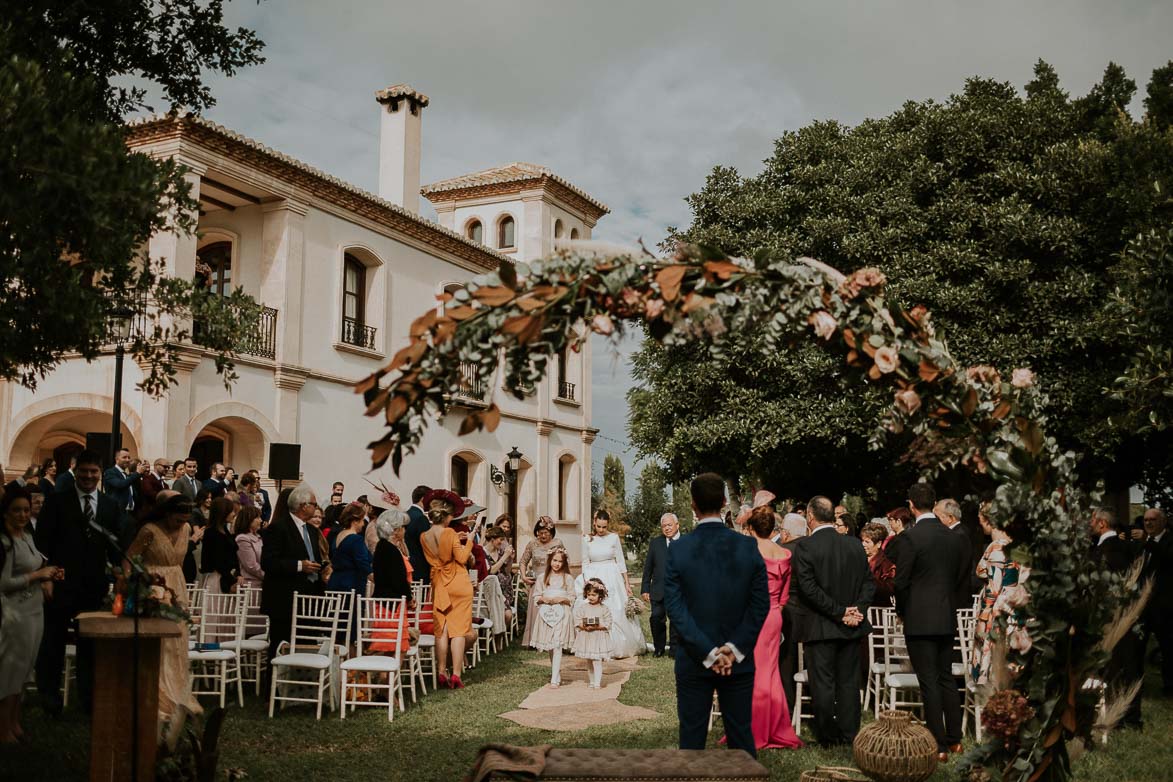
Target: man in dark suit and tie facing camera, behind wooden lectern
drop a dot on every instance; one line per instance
(76, 532)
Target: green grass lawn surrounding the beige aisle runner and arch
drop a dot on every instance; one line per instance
(438, 738)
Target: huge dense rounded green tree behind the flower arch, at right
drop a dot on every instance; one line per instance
(1005, 213)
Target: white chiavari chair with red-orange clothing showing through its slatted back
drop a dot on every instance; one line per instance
(382, 622)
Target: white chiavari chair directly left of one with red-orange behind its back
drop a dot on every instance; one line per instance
(311, 649)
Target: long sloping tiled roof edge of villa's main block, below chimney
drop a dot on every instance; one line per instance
(141, 130)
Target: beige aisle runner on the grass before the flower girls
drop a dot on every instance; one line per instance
(547, 709)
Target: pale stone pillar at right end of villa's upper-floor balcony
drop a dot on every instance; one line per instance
(282, 261)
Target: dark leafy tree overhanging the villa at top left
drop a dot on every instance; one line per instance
(77, 207)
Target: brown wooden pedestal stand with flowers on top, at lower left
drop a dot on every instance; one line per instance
(113, 732)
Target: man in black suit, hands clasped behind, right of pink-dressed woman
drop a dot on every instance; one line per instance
(837, 589)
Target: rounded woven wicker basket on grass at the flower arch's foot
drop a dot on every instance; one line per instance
(896, 750)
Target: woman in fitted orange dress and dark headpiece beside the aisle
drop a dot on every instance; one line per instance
(452, 591)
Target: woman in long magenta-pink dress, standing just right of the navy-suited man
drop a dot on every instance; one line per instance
(771, 715)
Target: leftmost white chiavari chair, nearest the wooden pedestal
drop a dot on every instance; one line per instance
(221, 623)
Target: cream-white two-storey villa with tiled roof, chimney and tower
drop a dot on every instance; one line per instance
(342, 274)
